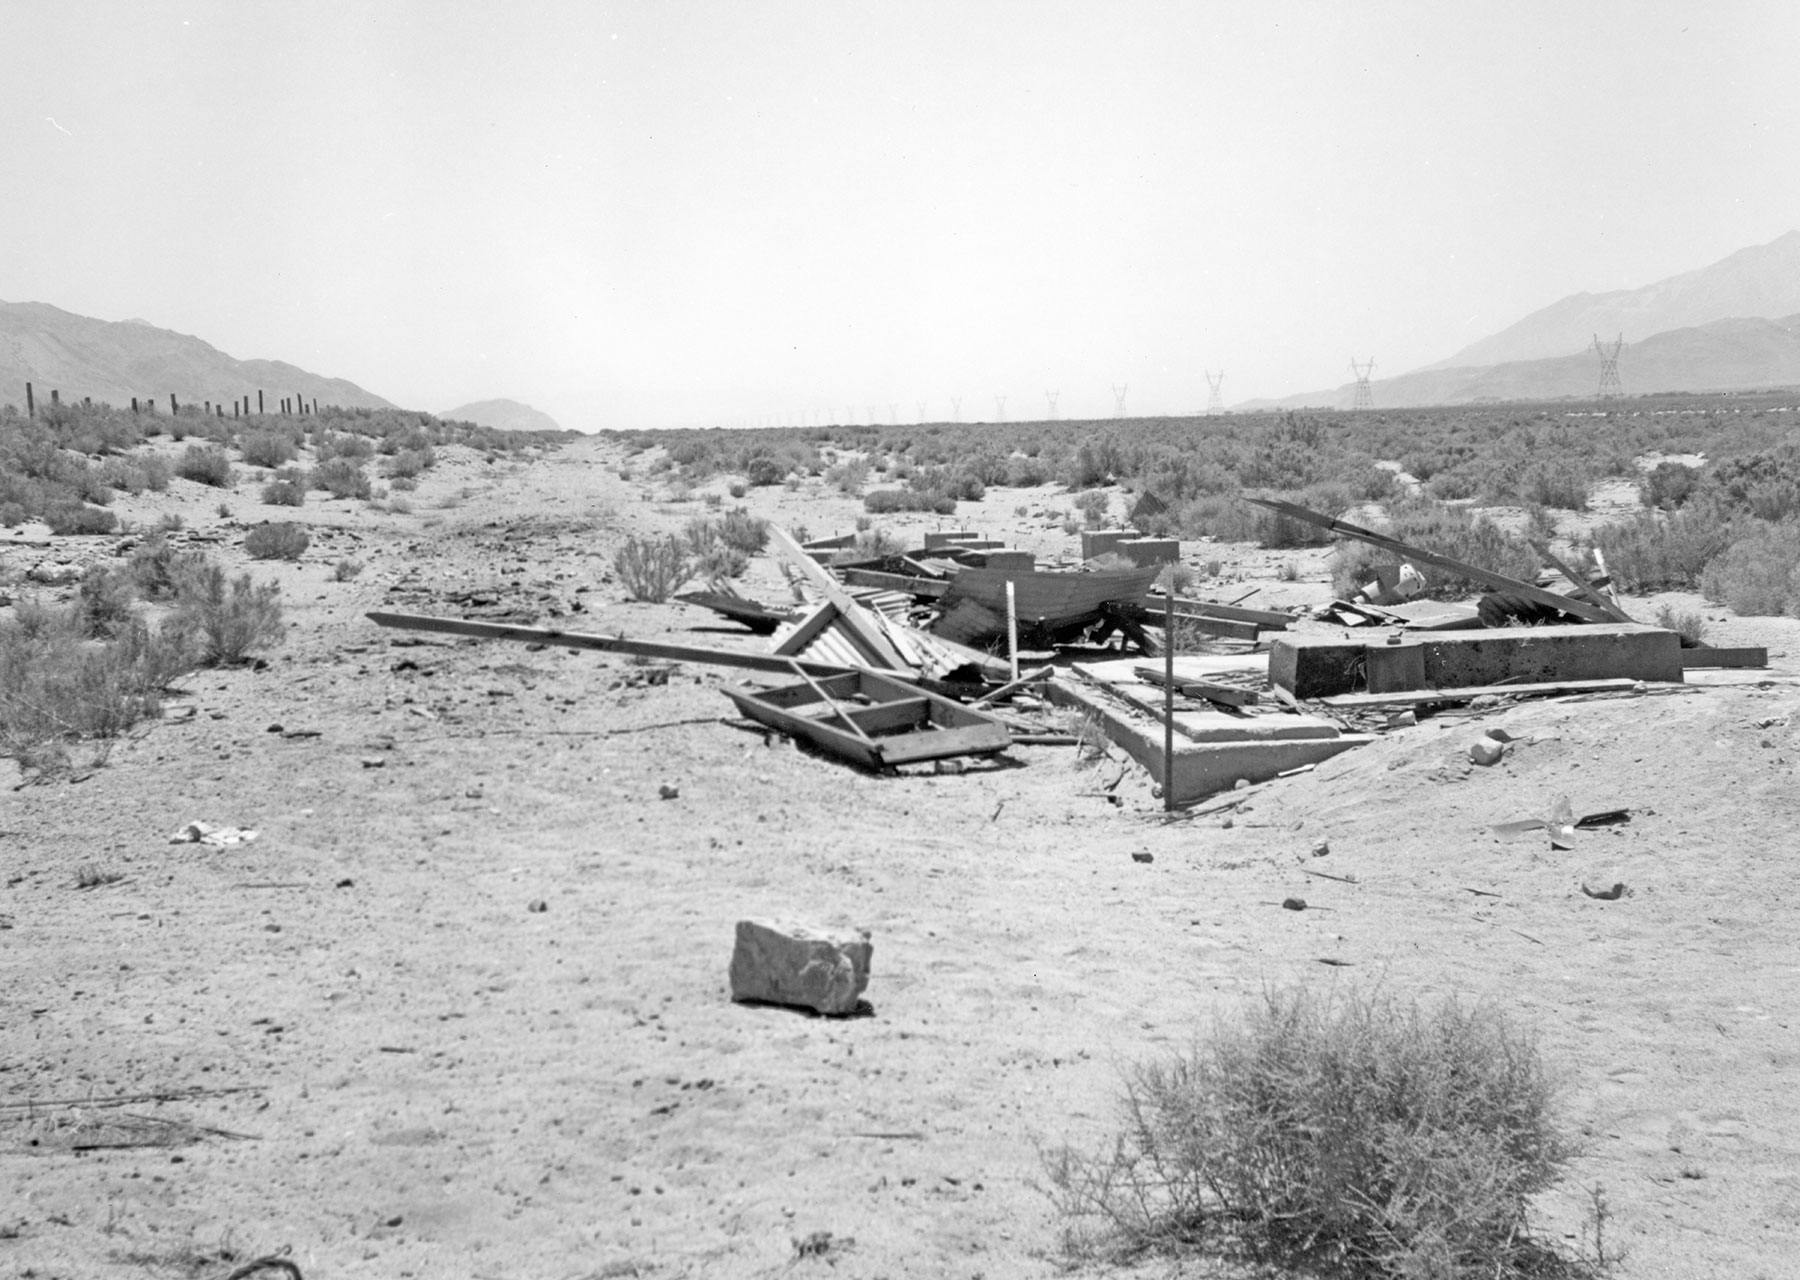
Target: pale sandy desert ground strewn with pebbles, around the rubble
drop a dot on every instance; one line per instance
(462, 1007)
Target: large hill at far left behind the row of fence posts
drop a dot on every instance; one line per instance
(112, 363)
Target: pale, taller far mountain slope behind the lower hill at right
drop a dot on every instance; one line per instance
(1759, 284)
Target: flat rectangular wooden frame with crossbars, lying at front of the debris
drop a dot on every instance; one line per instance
(872, 719)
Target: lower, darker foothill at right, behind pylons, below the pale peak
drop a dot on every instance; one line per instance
(1725, 356)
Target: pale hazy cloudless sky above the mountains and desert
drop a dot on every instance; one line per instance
(647, 215)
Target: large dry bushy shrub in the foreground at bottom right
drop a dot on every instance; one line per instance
(1335, 1137)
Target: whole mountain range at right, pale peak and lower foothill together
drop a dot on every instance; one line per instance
(1731, 327)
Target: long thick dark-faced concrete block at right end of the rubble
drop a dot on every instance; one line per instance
(1320, 665)
